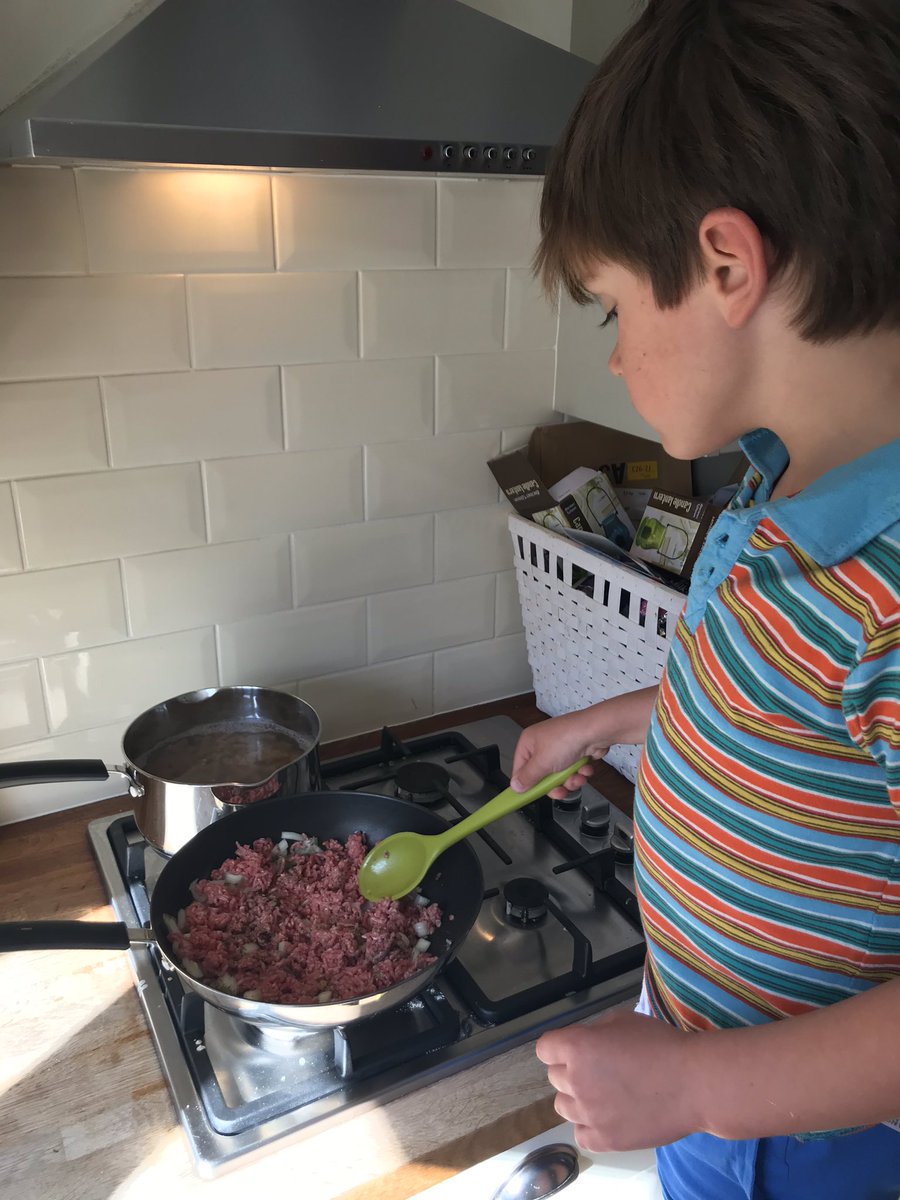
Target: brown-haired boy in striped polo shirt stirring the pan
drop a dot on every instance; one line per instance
(729, 189)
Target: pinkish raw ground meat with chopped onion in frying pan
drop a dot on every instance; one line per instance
(285, 923)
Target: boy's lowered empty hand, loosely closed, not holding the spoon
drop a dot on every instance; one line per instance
(622, 1082)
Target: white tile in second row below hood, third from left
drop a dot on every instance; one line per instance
(431, 313)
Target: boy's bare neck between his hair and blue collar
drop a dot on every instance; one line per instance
(832, 404)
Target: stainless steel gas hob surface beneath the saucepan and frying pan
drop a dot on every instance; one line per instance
(557, 940)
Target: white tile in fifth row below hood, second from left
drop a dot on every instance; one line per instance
(188, 589)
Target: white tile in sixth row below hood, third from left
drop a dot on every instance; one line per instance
(304, 643)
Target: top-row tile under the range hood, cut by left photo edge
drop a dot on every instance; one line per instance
(40, 229)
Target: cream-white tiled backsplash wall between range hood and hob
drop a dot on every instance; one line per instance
(244, 423)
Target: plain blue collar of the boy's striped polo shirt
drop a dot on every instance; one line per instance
(838, 514)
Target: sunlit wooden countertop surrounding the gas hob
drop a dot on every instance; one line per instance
(86, 1113)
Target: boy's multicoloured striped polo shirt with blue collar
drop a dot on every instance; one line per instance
(767, 830)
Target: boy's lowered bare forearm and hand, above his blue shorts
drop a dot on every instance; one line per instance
(631, 1082)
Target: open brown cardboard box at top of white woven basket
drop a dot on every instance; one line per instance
(634, 466)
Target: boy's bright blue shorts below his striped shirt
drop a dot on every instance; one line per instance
(855, 1167)
